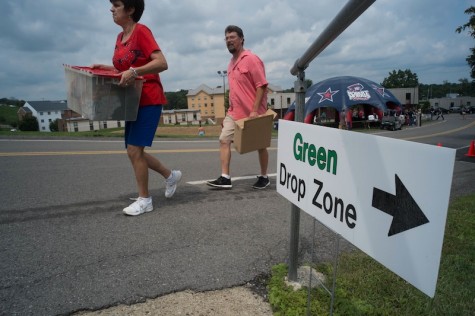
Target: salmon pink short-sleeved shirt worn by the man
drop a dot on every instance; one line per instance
(244, 77)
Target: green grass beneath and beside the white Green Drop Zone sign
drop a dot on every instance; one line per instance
(365, 287)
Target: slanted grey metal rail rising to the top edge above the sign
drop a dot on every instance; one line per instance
(350, 12)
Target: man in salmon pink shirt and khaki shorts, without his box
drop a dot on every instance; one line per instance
(247, 99)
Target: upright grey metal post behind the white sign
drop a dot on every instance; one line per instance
(300, 90)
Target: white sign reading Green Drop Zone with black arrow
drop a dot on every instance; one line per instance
(387, 197)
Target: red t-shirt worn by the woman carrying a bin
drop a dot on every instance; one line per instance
(135, 53)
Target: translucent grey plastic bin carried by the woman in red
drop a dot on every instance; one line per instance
(95, 94)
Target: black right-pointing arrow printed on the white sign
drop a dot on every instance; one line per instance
(402, 207)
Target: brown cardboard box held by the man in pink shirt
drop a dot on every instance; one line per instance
(251, 134)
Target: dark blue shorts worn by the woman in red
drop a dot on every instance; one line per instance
(142, 131)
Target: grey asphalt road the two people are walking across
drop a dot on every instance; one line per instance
(65, 245)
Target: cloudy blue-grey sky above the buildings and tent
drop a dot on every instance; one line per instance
(38, 36)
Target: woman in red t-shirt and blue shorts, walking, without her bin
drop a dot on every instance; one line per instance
(136, 54)
